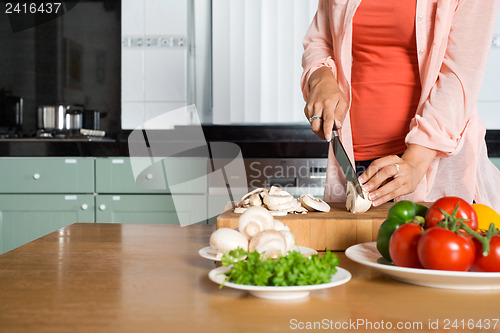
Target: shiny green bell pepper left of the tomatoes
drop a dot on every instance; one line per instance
(400, 213)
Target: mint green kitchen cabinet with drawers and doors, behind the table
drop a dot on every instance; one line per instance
(41, 195)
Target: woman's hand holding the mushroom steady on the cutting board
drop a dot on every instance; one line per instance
(392, 176)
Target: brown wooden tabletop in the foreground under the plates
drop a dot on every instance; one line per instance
(150, 278)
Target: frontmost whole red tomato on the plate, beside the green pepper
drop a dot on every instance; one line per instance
(443, 249)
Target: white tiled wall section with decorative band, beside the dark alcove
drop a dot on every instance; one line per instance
(154, 75)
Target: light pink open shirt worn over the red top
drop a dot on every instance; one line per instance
(453, 42)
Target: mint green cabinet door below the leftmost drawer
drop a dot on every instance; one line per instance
(26, 217)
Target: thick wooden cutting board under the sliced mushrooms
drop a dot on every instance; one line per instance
(335, 230)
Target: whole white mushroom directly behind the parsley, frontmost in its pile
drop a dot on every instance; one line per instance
(269, 243)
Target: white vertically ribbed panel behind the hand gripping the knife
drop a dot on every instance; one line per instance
(257, 60)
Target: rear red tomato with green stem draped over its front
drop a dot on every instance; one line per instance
(448, 204)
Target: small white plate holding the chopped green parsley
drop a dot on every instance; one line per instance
(293, 292)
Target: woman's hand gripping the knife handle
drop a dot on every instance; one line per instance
(325, 100)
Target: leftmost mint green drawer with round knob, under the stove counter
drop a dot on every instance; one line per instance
(47, 175)
